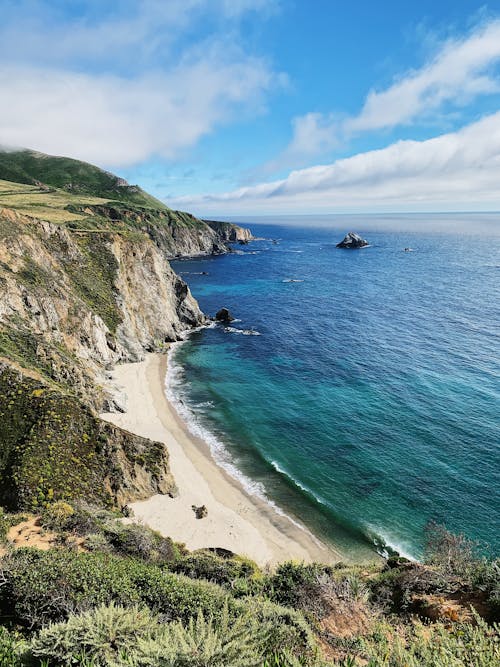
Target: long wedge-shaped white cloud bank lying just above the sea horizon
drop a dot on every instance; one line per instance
(449, 171)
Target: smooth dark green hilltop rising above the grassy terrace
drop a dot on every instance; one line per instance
(79, 178)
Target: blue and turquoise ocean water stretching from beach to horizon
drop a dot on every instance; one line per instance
(370, 402)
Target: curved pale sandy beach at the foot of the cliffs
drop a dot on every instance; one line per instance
(236, 520)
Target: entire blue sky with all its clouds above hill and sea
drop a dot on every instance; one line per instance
(262, 107)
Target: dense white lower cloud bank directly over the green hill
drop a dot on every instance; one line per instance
(114, 121)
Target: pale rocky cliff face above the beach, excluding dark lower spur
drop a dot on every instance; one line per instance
(74, 303)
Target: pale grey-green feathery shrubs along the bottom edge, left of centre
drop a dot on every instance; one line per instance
(113, 635)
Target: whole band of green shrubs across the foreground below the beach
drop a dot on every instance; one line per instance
(124, 601)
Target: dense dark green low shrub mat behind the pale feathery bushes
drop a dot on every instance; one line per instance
(43, 586)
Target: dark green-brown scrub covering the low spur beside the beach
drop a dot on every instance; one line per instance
(55, 448)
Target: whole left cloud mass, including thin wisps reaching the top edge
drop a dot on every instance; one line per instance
(127, 83)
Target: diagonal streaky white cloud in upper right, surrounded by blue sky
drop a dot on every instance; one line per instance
(461, 70)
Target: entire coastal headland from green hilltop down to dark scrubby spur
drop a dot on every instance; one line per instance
(85, 284)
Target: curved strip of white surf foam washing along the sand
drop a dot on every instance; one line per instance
(174, 382)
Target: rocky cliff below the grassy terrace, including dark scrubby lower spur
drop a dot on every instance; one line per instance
(72, 305)
